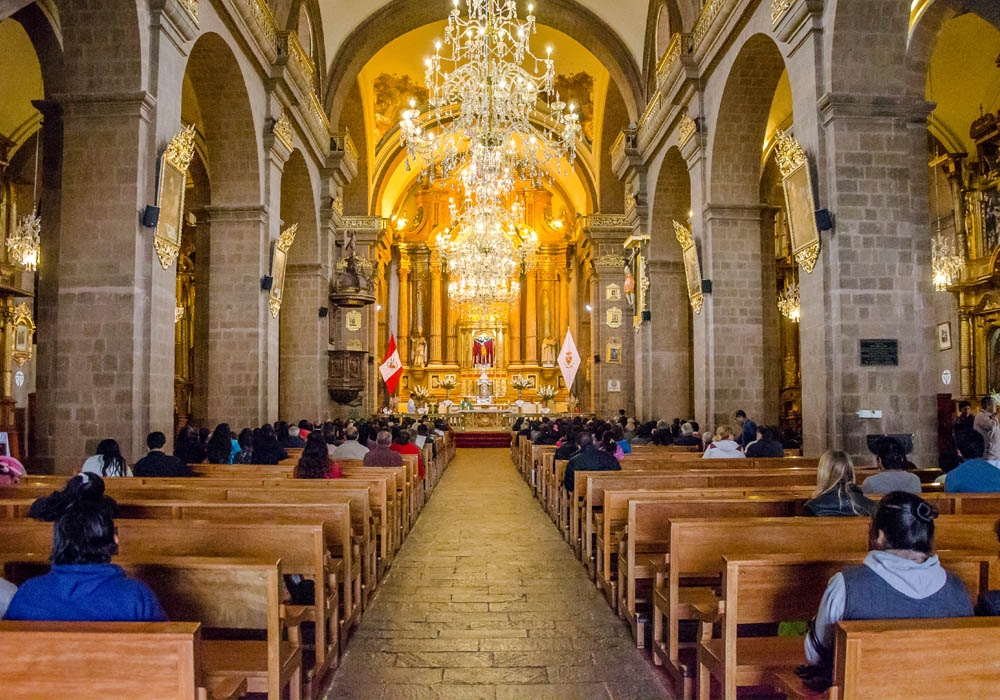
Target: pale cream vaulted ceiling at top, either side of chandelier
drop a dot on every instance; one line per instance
(626, 17)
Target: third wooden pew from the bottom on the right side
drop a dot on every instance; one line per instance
(696, 548)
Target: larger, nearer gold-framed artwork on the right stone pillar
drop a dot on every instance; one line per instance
(799, 200)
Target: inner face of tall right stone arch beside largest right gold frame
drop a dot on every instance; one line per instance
(739, 334)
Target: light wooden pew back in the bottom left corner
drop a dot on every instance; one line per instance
(106, 661)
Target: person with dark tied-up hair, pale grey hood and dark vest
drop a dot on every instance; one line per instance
(901, 578)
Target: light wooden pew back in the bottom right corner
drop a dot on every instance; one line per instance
(889, 658)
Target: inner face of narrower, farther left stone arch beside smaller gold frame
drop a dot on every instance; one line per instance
(302, 365)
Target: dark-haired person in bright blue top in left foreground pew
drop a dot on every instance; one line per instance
(83, 585)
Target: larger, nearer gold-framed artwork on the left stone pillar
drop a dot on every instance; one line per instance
(170, 195)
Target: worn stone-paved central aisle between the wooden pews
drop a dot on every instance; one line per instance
(485, 600)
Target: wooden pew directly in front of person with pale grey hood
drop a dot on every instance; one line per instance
(783, 588)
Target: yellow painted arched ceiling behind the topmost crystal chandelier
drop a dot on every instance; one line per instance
(396, 73)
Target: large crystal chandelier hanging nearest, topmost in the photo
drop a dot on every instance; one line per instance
(491, 101)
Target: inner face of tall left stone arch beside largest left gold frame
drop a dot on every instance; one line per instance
(232, 241)
